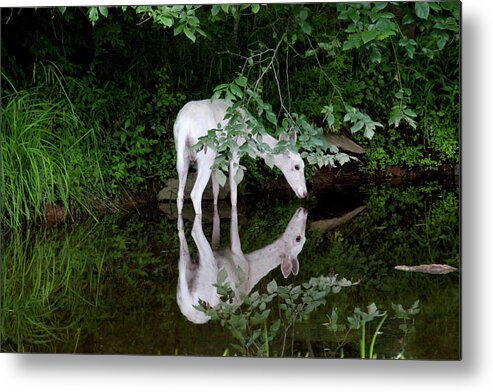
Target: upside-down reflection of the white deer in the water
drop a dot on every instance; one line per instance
(198, 275)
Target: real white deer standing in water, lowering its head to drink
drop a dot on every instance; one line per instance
(194, 120)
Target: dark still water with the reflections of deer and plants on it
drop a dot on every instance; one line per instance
(122, 286)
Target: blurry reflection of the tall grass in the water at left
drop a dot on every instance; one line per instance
(51, 281)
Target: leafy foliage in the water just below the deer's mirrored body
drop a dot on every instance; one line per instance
(257, 318)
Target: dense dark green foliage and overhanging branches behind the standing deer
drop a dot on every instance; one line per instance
(385, 73)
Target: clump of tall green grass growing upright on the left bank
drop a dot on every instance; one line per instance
(49, 157)
